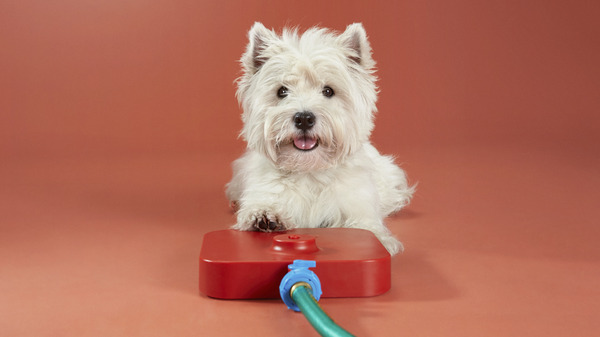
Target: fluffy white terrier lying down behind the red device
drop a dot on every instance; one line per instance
(308, 103)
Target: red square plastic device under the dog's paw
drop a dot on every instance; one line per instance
(243, 265)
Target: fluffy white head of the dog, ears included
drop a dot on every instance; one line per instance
(308, 100)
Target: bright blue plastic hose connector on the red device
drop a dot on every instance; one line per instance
(299, 272)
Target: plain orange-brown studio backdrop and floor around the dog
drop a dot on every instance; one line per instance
(118, 123)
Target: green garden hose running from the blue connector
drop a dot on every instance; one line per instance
(325, 326)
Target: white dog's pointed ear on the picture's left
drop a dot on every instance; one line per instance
(259, 38)
